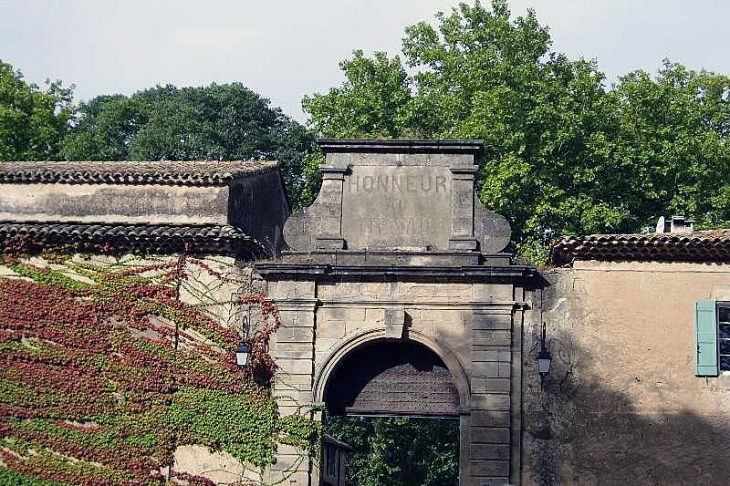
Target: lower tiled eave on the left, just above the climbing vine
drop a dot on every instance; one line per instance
(152, 238)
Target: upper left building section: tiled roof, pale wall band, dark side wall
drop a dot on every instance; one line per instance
(248, 195)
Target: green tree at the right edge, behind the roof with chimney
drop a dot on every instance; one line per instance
(673, 141)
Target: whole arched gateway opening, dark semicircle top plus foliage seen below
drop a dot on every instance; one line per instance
(396, 405)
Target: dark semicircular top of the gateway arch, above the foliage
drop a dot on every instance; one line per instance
(392, 378)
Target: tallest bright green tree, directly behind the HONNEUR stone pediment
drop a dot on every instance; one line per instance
(546, 121)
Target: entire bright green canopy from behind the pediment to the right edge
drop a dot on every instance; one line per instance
(563, 154)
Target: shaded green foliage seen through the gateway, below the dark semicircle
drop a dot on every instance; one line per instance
(399, 451)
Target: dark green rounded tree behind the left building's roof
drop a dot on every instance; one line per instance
(216, 122)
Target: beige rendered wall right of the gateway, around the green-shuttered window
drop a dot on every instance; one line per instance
(621, 404)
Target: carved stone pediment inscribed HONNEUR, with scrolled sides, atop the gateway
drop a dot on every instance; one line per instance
(400, 195)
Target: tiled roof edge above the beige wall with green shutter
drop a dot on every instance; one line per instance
(713, 245)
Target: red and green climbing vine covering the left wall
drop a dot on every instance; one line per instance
(109, 364)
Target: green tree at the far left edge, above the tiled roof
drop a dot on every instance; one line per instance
(32, 121)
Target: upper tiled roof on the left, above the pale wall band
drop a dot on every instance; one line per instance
(184, 173)
